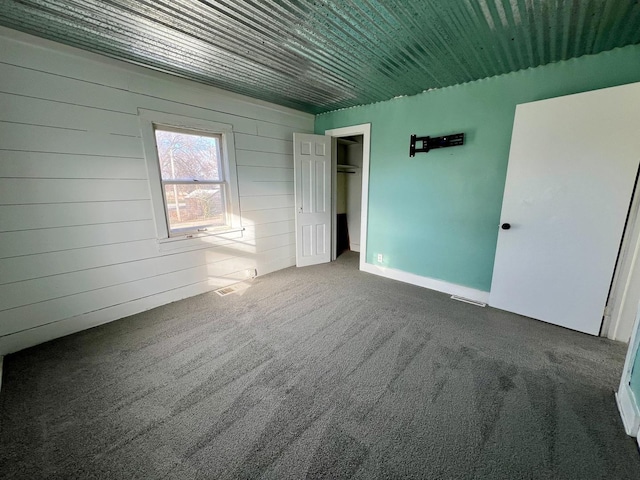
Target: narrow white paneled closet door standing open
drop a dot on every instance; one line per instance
(312, 174)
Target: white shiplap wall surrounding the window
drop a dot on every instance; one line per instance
(77, 238)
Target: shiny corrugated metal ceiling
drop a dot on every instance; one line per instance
(323, 55)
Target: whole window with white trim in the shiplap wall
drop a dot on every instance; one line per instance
(192, 176)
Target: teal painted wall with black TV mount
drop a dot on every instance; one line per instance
(437, 214)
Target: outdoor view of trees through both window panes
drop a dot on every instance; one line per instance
(192, 178)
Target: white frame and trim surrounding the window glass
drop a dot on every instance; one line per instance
(149, 120)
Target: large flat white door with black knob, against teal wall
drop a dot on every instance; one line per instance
(572, 168)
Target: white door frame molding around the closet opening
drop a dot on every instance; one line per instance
(364, 130)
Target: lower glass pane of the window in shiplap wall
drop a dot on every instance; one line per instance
(192, 206)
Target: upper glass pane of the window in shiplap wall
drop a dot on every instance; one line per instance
(185, 156)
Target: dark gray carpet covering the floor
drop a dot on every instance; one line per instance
(320, 372)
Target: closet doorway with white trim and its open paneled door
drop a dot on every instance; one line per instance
(314, 179)
